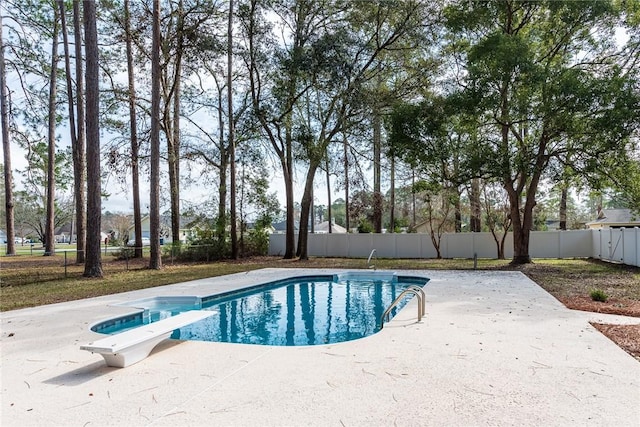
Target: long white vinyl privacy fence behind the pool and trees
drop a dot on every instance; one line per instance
(616, 245)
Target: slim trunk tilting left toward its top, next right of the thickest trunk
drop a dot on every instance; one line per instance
(133, 130)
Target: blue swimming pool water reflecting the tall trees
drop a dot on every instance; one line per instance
(307, 310)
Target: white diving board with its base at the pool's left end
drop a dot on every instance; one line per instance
(129, 347)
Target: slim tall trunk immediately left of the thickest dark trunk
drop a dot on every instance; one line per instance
(79, 152)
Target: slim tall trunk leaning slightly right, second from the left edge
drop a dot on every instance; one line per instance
(49, 236)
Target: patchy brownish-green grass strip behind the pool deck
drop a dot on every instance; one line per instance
(27, 281)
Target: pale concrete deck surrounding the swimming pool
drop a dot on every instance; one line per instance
(493, 349)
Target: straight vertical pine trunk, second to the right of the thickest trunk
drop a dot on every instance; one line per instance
(155, 259)
